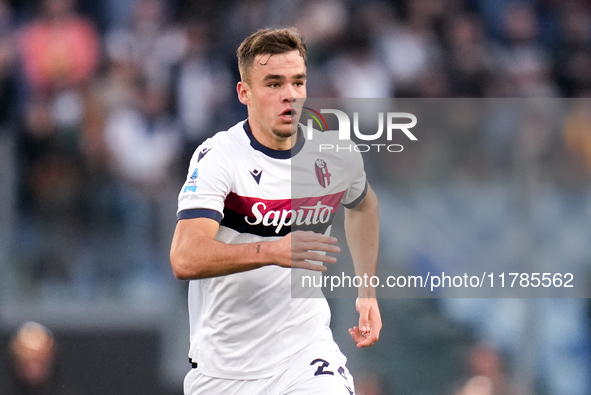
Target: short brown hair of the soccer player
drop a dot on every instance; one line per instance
(268, 41)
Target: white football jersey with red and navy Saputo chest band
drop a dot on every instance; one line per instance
(246, 325)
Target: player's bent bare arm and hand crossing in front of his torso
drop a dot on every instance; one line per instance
(195, 254)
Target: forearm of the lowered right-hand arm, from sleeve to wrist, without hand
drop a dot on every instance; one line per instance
(363, 236)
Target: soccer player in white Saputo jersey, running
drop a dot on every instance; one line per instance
(233, 239)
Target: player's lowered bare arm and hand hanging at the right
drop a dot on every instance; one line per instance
(363, 235)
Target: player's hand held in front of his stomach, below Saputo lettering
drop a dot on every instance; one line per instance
(298, 248)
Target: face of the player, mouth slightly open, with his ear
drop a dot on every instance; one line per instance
(275, 80)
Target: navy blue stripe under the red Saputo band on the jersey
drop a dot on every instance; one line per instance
(237, 222)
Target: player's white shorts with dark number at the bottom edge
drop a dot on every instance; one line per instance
(311, 372)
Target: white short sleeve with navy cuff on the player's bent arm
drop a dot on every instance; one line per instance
(207, 185)
